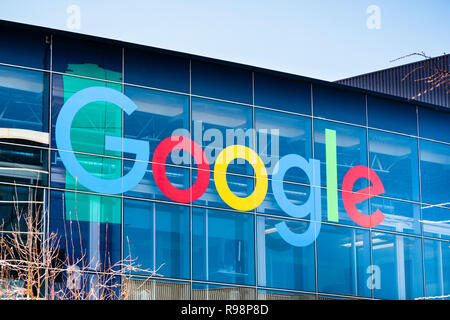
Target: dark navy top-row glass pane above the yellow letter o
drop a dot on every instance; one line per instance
(222, 82)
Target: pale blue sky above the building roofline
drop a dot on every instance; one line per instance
(322, 39)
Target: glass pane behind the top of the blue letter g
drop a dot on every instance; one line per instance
(279, 134)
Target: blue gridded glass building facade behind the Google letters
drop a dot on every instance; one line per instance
(205, 248)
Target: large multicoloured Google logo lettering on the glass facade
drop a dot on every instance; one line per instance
(140, 148)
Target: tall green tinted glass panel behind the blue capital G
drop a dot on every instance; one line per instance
(89, 128)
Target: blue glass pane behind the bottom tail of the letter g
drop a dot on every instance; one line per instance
(281, 265)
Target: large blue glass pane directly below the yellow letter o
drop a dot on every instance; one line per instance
(223, 246)
